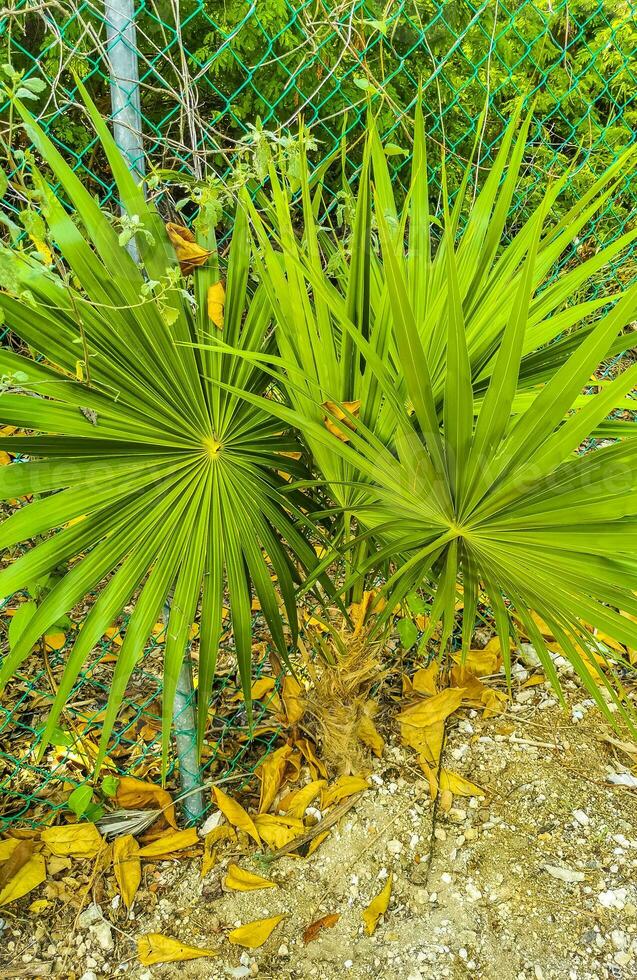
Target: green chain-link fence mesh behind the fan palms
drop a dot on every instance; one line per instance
(219, 79)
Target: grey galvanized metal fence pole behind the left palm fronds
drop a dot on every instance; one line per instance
(122, 54)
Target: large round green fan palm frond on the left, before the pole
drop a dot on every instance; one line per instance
(156, 481)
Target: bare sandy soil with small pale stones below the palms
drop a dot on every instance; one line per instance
(536, 879)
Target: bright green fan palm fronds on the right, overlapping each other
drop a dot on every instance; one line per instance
(457, 373)
